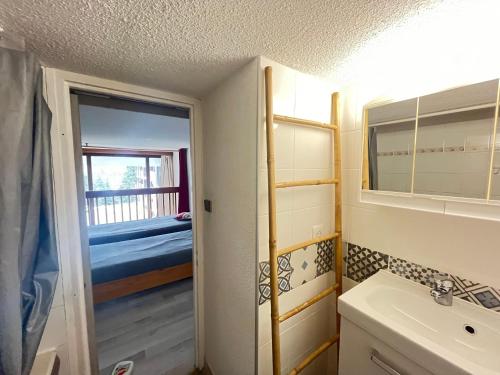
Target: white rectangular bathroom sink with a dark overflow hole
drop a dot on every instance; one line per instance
(460, 339)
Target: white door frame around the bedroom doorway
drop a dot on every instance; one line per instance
(74, 273)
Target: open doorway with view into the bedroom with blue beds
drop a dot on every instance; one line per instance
(134, 182)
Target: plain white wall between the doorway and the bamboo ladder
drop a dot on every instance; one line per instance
(230, 180)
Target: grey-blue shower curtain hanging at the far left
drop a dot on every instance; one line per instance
(28, 254)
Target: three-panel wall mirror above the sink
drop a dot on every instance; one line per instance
(442, 144)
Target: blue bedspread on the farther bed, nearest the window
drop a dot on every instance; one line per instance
(129, 230)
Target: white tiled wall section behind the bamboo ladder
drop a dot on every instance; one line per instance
(300, 153)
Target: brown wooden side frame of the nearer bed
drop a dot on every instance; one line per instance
(122, 287)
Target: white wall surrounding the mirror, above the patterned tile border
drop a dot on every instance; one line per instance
(432, 52)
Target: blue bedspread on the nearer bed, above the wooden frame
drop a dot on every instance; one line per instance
(113, 261)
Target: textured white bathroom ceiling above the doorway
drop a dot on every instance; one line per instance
(188, 46)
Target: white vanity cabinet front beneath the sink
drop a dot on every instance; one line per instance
(361, 353)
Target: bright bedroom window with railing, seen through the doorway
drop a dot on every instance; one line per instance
(125, 184)
